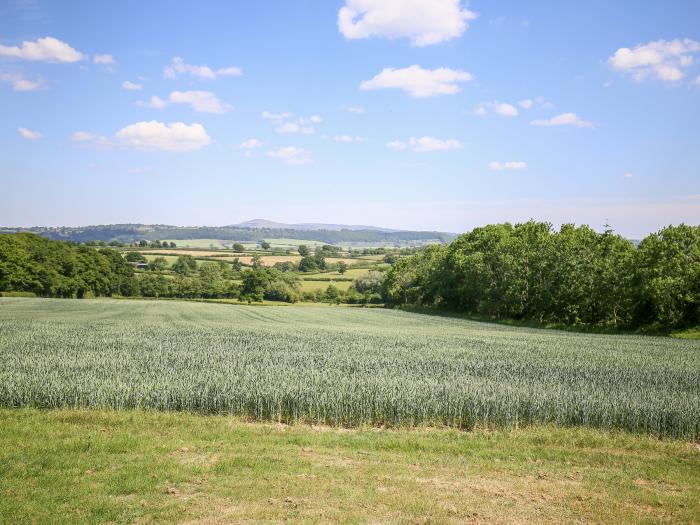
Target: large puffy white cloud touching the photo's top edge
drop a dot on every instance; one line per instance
(425, 22)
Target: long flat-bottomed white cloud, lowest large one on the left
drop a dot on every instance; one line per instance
(158, 136)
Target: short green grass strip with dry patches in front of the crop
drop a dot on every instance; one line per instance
(81, 466)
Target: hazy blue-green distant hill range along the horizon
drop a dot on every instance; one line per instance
(249, 231)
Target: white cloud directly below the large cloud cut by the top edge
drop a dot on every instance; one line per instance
(418, 82)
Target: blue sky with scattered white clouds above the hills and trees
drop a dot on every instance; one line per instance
(414, 114)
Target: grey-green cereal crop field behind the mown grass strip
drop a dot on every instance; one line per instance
(341, 366)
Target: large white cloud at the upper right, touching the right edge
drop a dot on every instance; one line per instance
(660, 59)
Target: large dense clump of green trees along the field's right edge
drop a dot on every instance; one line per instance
(573, 276)
